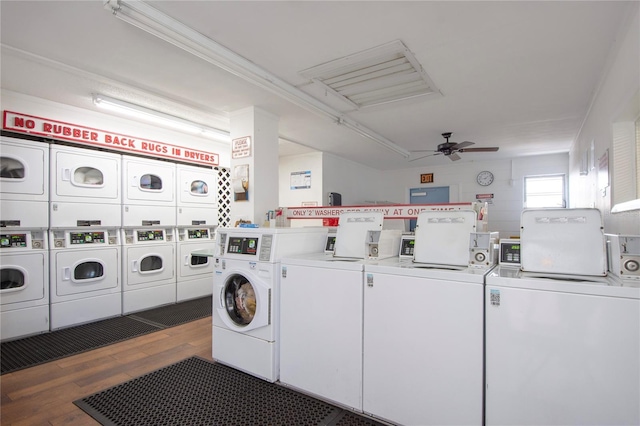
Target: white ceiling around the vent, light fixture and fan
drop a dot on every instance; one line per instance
(517, 75)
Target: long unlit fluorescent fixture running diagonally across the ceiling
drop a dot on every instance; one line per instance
(151, 20)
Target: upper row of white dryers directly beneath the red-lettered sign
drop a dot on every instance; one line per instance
(57, 186)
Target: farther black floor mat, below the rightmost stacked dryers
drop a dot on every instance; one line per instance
(179, 313)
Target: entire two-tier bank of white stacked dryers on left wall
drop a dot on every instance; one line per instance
(88, 235)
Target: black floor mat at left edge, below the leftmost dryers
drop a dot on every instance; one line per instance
(29, 351)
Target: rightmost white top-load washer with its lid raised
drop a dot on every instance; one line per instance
(562, 339)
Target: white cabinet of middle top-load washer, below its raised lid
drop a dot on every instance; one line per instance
(423, 343)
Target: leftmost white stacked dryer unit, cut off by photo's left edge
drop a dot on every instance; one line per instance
(24, 249)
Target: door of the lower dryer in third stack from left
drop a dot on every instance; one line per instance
(149, 265)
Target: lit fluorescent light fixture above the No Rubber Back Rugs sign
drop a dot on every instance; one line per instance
(158, 117)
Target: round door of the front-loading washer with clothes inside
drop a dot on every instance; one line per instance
(243, 301)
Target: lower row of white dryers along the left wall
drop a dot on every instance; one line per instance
(57, 278)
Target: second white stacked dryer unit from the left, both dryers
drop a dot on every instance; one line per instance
(85, 220)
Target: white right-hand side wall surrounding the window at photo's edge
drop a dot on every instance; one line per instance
(620, 82)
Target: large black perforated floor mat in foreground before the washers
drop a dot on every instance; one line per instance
(196, 391)
